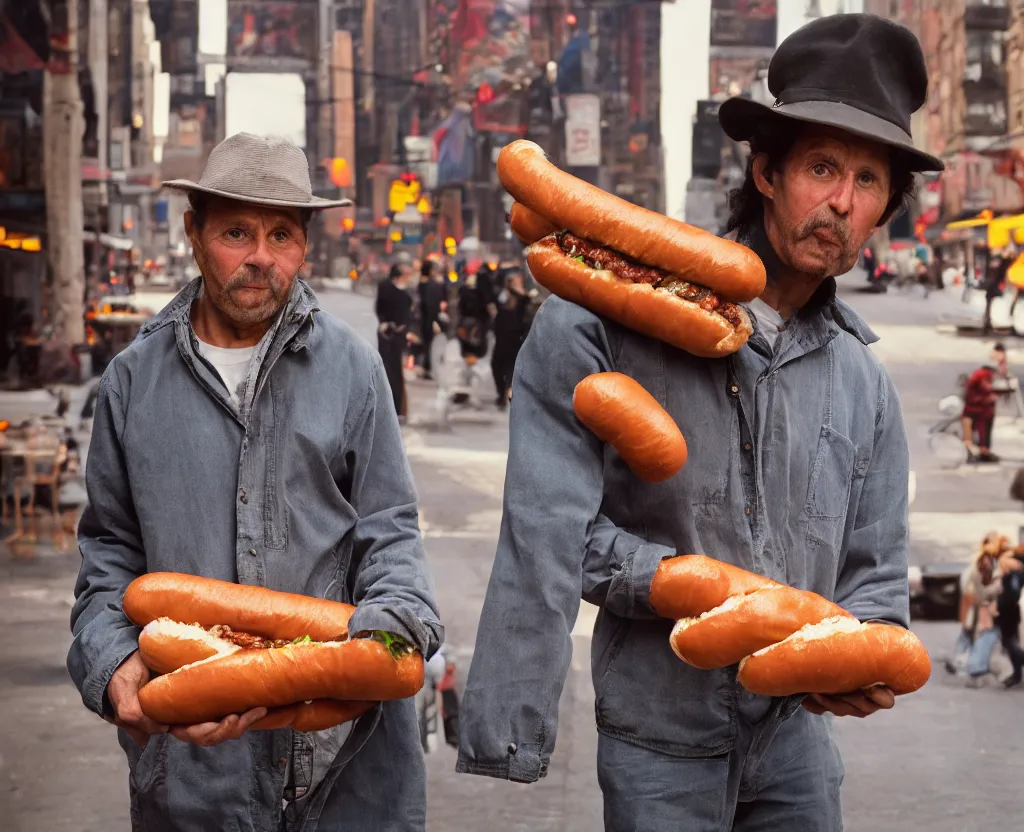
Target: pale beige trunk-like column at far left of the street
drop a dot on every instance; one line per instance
(63, 129)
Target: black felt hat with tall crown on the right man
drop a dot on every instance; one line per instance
(861, 73)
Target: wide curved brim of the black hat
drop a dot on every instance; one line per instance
(740, 118)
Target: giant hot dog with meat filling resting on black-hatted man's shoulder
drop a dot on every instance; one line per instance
(652, 274)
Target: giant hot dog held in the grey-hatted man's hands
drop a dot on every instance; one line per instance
(251, 647)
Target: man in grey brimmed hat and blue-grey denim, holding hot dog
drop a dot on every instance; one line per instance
(248, 437)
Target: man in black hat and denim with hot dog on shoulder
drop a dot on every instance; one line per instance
(798, 471)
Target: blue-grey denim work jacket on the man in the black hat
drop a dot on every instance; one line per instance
(798, 471)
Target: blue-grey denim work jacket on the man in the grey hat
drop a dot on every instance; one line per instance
(307, 489)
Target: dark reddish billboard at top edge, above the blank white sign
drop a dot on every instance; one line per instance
(264, 35)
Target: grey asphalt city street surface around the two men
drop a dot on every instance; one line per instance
(947, 760)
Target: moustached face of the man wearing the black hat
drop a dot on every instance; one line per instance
(827, 200)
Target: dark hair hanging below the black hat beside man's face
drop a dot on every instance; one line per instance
(776, 139)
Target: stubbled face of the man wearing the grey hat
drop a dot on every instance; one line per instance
(249, 257)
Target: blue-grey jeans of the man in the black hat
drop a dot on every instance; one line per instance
(793, 784)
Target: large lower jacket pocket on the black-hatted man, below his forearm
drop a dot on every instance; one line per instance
(649, 697)
